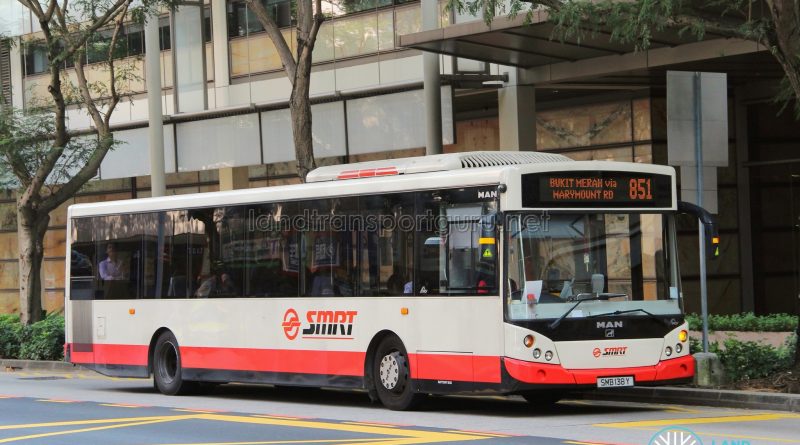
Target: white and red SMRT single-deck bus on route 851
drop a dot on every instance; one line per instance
(485, 272)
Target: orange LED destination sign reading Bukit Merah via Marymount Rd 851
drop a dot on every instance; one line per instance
(604, 189)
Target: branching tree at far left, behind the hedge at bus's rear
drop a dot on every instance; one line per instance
(49, 161)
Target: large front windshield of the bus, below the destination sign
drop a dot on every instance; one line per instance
(619, 261)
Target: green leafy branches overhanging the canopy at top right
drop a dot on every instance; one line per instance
(772, 23)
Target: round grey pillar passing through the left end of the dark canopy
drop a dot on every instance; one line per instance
(431, 83)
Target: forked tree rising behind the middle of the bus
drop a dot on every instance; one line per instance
(309, 19)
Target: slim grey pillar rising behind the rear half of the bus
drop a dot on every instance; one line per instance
(155, 115)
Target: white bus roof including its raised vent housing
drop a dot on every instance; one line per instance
(464, 170)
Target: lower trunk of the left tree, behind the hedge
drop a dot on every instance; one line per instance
(31, 228)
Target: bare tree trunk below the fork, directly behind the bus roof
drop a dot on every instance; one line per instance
(300, 108)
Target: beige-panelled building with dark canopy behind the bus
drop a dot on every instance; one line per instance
(507, 86)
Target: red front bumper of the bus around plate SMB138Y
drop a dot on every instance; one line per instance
(540, 374)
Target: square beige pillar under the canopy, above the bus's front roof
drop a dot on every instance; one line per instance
(517, 116)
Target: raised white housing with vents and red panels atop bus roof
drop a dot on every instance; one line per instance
(427, 164)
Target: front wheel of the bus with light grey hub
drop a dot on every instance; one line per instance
(392, 376)
